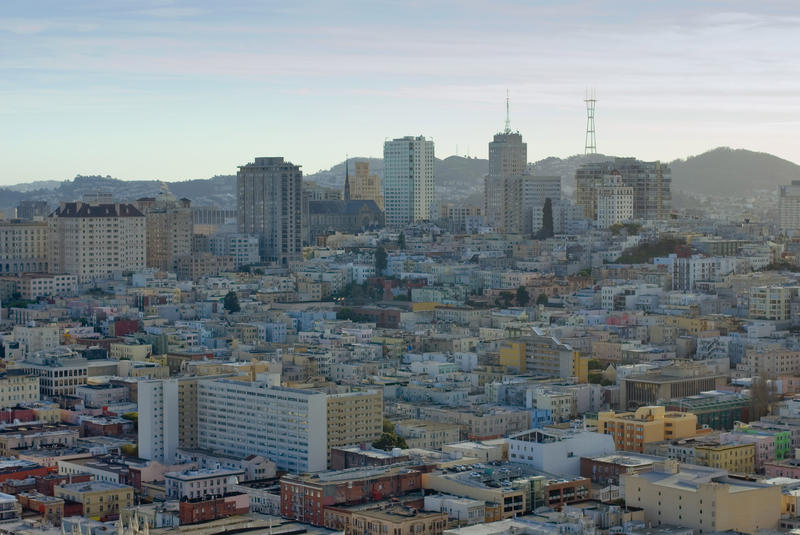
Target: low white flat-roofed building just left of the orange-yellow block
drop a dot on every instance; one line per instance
(557, 451)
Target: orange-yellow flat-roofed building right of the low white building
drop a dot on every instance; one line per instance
(632, 430)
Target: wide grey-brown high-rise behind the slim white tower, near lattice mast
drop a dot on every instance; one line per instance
(651, 183)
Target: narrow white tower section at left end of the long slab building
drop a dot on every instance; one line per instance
(158, 420)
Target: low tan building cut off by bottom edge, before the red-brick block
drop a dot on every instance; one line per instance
(397, 520)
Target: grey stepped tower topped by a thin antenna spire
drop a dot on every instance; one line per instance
(508, 157)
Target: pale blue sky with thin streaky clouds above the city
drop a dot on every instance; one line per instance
(175, 90)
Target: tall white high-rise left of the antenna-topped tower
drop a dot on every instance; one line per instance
(408, 180)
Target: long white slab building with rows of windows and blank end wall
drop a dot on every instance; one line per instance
(286, 425)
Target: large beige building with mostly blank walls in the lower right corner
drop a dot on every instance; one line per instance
(704, 499)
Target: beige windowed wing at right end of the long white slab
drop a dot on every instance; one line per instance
(354, 417)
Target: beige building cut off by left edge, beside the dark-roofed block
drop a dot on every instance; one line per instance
(23, 246)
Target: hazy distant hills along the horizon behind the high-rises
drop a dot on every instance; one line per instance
(721, 172)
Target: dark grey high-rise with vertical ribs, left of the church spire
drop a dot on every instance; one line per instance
(269, 200)
